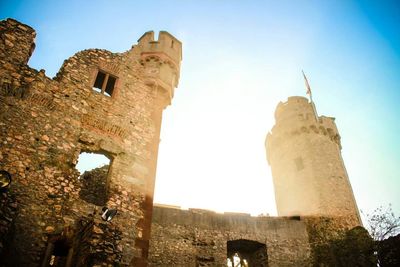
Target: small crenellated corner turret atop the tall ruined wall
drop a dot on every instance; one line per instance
(161, 59)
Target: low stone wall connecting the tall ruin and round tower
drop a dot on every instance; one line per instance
(199, 237)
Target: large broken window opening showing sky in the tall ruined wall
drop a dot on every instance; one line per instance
(94, 170)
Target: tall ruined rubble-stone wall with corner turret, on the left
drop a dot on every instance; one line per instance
(46, 123)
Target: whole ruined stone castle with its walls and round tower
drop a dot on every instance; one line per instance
(111, 104)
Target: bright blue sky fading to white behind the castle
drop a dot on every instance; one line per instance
(240, 59)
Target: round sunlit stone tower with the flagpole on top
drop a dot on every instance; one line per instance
(304, 152)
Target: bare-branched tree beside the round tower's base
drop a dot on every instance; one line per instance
(382, 223)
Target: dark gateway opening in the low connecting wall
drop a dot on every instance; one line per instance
(246, 253)
